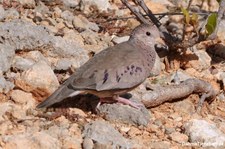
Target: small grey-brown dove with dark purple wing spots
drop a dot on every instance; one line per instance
(113, 71)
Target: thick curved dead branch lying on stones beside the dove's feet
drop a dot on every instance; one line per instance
(172, 92)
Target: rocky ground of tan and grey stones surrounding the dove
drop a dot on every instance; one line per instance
(43, 42)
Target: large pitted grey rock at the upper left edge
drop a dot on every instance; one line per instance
(22, 34)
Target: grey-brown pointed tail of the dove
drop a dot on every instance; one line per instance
(61, 93)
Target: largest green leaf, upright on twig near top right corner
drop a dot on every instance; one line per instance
(211, 23)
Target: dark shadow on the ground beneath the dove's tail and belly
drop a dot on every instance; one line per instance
(86, 102)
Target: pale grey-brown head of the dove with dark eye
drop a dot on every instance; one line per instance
(145, 34)
